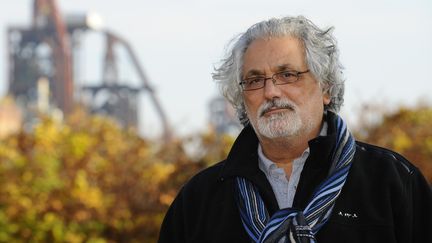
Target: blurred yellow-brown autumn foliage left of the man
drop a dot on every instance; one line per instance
(87, 180)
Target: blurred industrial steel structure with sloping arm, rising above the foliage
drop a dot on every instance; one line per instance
(41, 70)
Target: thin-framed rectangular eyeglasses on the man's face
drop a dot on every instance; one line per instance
(280, 78)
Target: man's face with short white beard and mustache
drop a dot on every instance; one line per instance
(287, 110)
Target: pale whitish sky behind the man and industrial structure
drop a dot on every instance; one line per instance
(386, 47)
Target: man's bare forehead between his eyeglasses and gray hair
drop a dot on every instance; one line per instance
(273, 54)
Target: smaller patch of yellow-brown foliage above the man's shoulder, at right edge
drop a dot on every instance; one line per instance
(407, 131)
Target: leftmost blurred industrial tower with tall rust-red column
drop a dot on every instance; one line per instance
(41, 51)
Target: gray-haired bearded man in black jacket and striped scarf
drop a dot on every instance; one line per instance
(295, 172)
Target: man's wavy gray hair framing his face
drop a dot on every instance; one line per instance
(322, 58)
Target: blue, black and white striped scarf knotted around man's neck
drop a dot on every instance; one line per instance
(297, 225)
